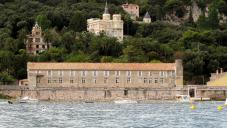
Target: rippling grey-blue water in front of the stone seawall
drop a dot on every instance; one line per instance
(110, 115)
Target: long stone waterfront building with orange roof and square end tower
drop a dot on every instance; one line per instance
(106, 75)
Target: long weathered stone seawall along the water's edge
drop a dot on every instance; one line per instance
(104, 94)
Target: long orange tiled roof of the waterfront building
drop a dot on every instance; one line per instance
(102, 66)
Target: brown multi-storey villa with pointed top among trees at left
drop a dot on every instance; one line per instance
(35, 42)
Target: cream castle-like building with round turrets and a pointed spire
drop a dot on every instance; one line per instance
(111, 27)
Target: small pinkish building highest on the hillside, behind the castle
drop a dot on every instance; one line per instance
(132, 10)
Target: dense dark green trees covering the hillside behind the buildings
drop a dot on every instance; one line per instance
(201, 45)
